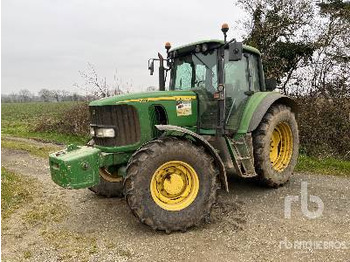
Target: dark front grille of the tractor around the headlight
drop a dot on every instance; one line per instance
(123, 118)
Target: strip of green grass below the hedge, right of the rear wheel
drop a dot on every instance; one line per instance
(327, 166)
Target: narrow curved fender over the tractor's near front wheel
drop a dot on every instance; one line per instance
(200, 140)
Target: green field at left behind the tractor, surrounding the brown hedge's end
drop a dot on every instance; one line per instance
(20, 119)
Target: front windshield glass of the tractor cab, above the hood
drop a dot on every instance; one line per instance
(196, 70)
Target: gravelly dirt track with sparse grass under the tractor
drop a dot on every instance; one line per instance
(248, 224)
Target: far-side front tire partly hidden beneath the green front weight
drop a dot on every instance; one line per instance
(108, 189)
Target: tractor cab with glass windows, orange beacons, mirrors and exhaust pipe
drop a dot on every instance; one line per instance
(223, 74)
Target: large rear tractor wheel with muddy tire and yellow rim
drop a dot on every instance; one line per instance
(276, 146)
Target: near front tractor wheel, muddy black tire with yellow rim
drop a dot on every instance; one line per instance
(171, 184)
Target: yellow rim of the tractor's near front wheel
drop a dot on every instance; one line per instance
(174, 185)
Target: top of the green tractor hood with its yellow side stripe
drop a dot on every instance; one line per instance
(145, 97)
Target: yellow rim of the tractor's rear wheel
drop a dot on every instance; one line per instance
(281, 146)
